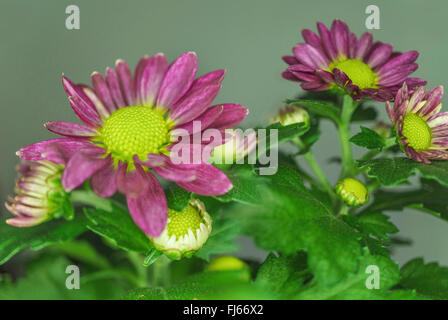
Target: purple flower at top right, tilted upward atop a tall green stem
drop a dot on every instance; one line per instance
(363, 68)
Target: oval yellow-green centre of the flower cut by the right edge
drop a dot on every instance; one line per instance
(417, 132)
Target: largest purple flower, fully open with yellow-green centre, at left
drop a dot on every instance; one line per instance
(130, 125)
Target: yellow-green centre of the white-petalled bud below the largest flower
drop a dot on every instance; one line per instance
(180, 222)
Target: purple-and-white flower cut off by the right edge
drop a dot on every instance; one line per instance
(421, 128)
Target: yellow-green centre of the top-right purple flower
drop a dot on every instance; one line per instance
(359, 72)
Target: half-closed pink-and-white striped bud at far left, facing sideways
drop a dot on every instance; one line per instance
(39, 194)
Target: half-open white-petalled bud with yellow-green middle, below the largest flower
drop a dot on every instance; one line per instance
(186, 231)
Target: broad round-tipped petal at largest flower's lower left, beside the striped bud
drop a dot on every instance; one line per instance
(82, 165)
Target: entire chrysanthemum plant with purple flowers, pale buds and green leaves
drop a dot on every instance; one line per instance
(324, 239)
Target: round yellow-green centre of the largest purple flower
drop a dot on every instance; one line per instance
(133, 131)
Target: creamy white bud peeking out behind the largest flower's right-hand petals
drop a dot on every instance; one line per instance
(237, 146)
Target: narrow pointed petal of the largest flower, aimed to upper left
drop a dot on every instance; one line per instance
(81, 104)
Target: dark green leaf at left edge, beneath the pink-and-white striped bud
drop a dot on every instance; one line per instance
(13, 239)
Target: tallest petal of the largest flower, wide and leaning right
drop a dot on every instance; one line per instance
(178, 80)
